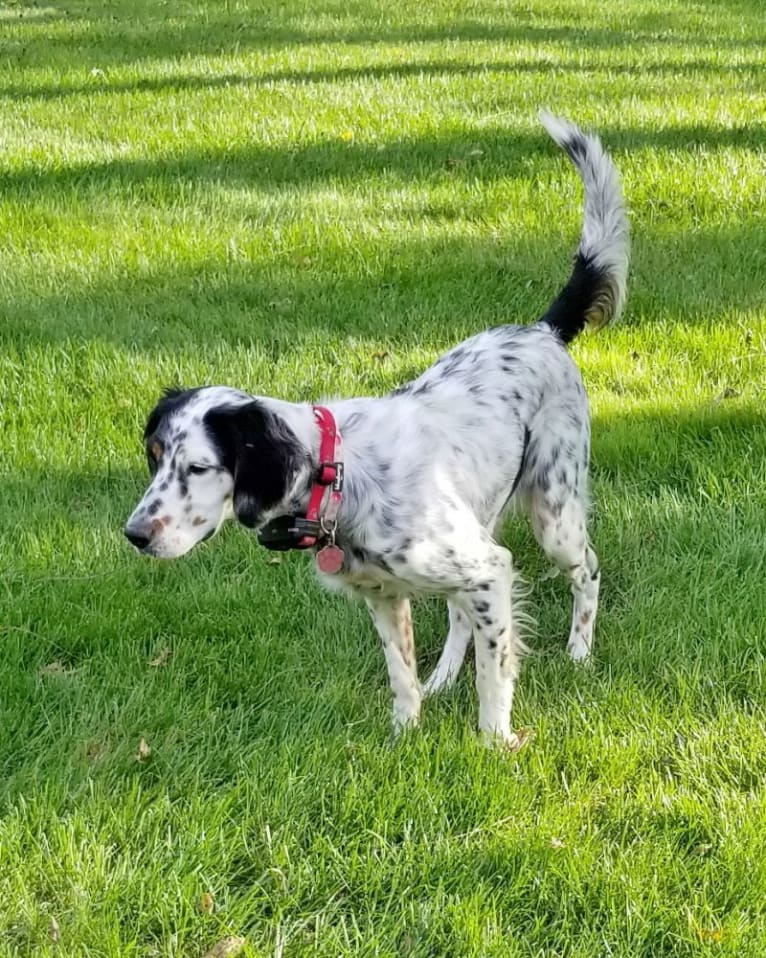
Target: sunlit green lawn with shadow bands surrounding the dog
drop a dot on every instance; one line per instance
(305, 198)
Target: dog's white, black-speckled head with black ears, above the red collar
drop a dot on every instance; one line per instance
(213, 453)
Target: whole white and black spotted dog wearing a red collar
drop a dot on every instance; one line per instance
(409, 506)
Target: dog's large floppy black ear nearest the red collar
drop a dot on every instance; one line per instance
(260, 451)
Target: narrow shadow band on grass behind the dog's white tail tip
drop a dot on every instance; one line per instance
(335, 160)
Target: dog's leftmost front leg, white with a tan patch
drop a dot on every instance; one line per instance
(393, 620)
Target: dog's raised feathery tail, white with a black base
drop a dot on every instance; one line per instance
(595, 293)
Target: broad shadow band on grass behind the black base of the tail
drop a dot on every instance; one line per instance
(414, 290)
